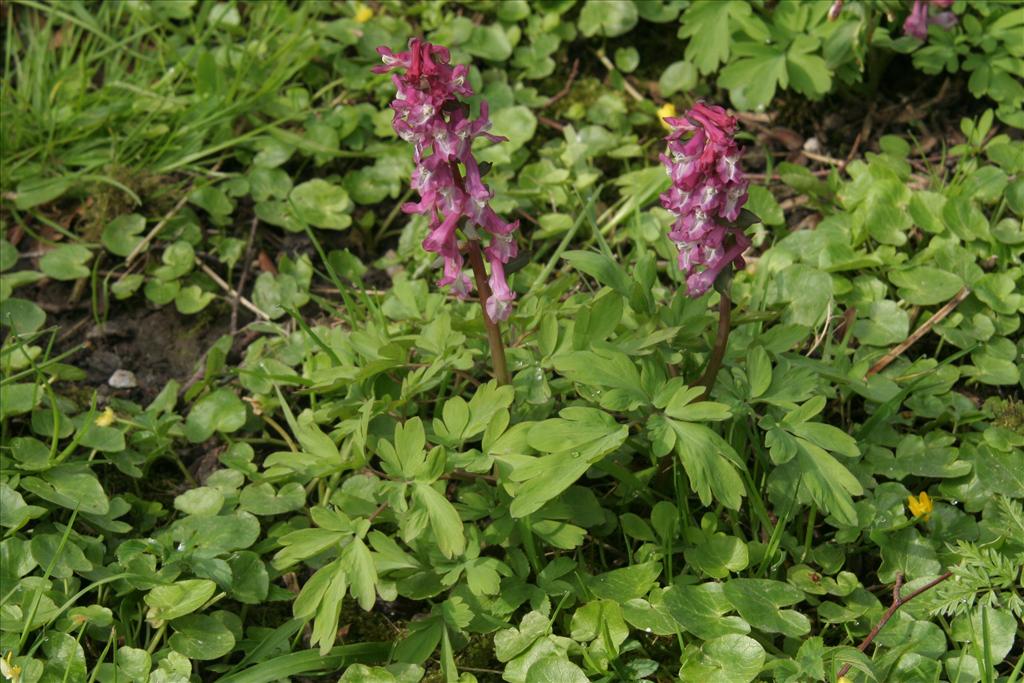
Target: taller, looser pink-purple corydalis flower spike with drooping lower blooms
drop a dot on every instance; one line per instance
(430, 115)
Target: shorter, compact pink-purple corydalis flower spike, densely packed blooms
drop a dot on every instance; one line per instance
(707, 195)
